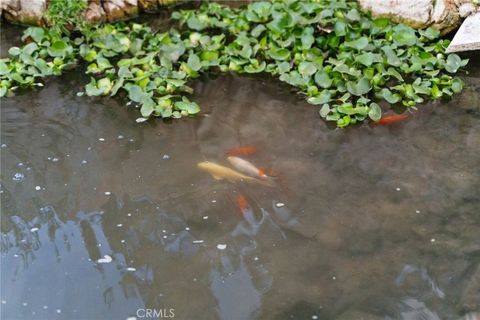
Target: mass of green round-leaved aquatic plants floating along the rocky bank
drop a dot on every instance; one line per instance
(335, 55)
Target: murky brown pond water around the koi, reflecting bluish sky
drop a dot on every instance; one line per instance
(104, 218)
